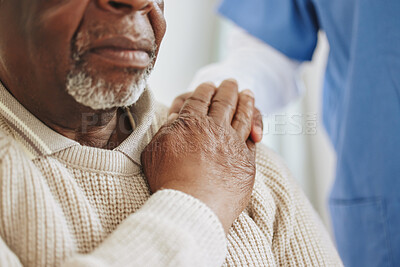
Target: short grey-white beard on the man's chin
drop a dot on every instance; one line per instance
(98, 94)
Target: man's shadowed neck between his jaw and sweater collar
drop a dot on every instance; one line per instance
(102, 129)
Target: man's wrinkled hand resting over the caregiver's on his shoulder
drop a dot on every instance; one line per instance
(206, 151)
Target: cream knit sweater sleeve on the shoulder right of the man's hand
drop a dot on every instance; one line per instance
(299, 237)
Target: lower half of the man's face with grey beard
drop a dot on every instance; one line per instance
(98, 51)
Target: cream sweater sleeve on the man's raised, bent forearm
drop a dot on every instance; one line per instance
(171, 229)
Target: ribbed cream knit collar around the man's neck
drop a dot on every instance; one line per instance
(40, 140)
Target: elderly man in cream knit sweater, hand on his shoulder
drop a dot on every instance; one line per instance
(79, 187)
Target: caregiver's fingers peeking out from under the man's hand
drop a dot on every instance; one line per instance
(257, 128)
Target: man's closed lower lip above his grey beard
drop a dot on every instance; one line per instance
(124, 58)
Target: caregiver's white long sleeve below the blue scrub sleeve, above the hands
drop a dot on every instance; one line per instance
(271, 75)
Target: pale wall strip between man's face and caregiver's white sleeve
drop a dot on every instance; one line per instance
(189, 44)
